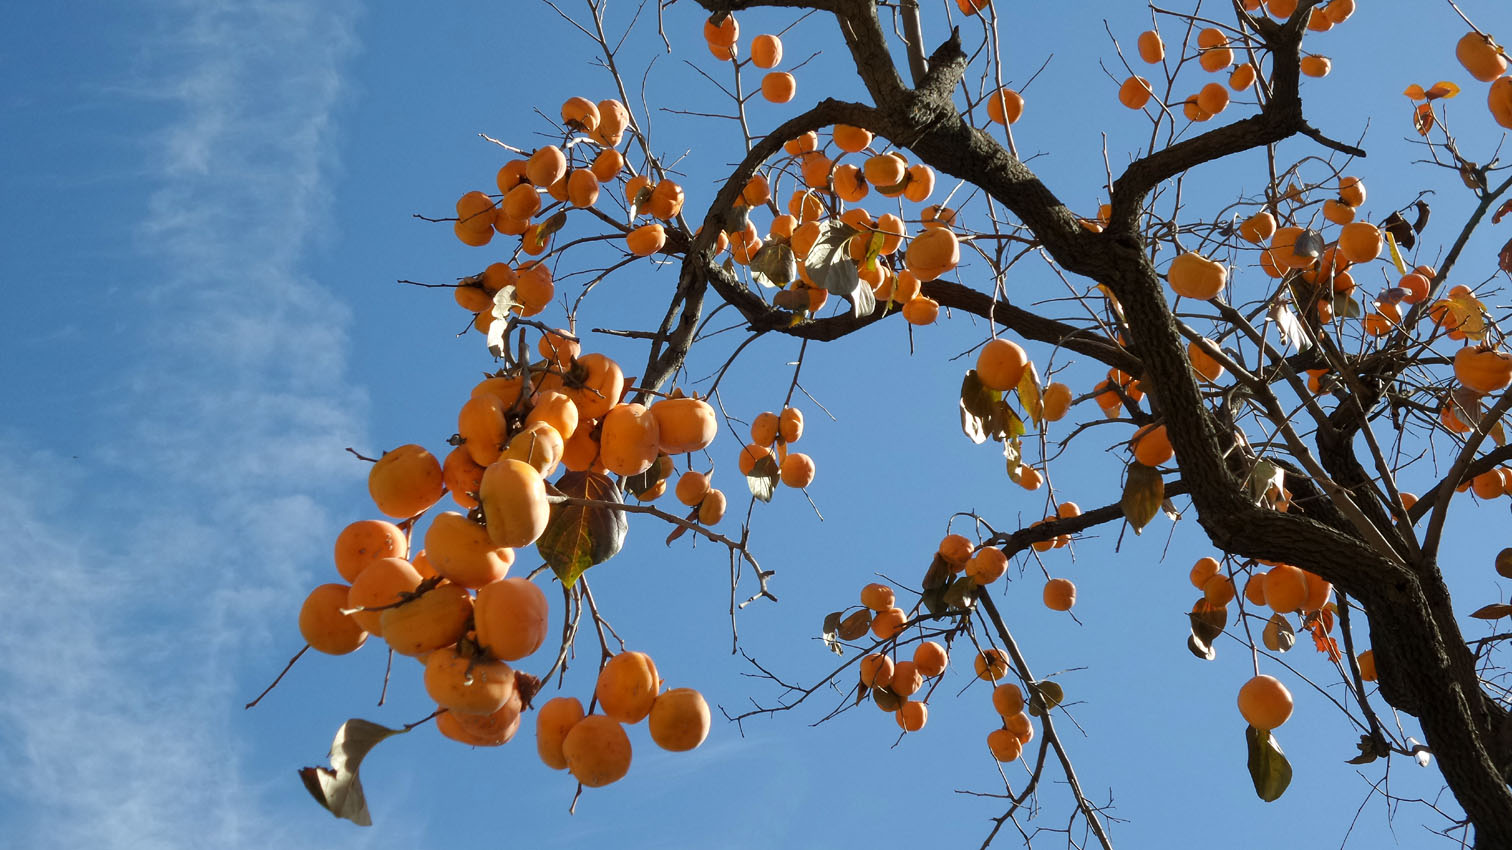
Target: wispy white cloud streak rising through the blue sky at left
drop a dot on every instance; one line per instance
(138, 574)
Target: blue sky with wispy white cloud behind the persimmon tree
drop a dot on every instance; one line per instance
(206, 206)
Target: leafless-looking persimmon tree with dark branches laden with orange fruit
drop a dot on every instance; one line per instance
(1277, 368)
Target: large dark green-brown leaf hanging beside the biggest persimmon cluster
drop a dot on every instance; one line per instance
(583, 536)
